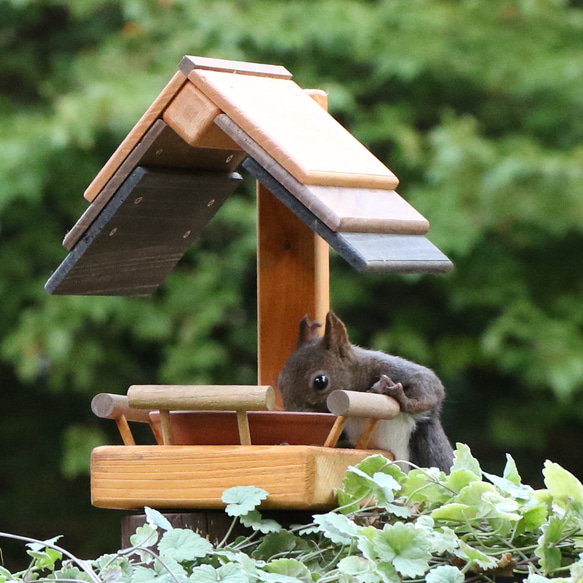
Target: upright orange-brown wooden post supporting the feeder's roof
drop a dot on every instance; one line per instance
(293, 279)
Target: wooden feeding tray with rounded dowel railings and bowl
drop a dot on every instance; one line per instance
(290, 455)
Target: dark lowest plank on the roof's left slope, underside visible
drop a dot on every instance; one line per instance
(142, 233)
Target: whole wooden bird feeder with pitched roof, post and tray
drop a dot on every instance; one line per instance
(318, 187)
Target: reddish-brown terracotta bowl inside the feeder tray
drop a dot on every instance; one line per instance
(266, 427)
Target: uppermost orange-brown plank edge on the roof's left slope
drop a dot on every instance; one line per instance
(145, 122)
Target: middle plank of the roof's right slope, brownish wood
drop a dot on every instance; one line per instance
(340, 208)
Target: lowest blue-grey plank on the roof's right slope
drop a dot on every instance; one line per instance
(366, 252)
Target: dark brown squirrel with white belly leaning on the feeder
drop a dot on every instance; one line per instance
(322, 364)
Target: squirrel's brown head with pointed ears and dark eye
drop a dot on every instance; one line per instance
(318, 365)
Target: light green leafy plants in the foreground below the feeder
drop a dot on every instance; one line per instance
(435, 540)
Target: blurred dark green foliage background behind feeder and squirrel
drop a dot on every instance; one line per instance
(477, 106)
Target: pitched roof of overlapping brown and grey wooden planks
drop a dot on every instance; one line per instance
(177, 166)
